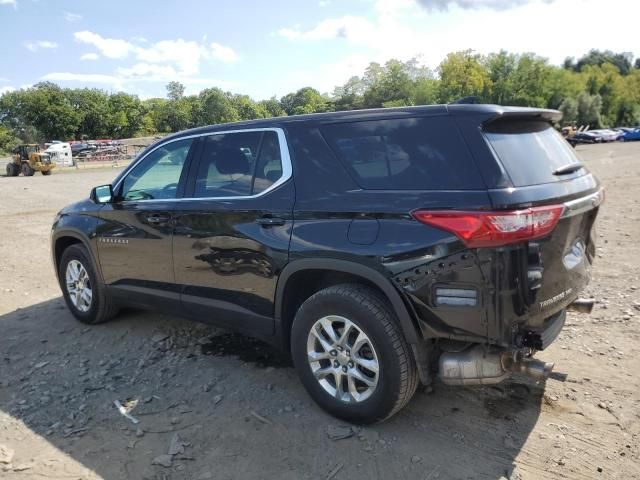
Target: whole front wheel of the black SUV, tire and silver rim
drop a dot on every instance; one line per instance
(84, 294)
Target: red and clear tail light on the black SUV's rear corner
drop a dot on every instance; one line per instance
(494, 229)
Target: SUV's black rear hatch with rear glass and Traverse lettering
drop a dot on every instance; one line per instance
(548, 273)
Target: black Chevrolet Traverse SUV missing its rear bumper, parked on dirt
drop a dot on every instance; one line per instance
(380, 247)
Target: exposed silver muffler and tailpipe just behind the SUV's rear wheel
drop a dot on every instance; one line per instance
(475, 366)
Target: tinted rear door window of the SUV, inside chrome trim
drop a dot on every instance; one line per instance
(238, 164)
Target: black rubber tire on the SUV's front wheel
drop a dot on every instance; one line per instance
(100, 308)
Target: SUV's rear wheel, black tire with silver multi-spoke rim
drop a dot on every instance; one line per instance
(397, 377)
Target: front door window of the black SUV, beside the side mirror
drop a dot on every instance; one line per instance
(158, 175)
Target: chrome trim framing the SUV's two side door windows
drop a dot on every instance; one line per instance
(285, 159)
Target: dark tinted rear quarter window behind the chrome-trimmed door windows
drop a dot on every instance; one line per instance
(405, 154)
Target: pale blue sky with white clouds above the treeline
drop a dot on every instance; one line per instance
(272, 48)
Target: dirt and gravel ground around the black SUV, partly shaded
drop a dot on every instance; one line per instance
(215, 406)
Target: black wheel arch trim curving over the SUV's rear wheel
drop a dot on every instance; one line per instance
(337, 271)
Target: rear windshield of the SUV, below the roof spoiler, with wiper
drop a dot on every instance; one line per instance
(531, 151)
